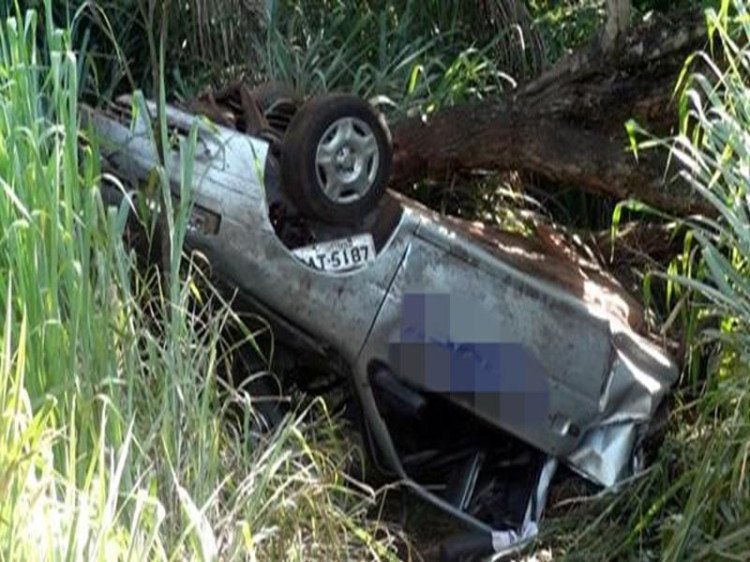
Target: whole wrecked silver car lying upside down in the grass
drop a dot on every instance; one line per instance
(477, 368)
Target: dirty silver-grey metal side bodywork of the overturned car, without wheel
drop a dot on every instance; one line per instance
(445, 313)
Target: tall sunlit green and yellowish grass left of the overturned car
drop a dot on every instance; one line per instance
(113, 443)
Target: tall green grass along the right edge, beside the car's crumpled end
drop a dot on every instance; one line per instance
(694, 503)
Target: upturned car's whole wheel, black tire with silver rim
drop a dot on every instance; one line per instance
(336, 158)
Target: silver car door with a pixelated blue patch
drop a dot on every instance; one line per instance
(515, 351)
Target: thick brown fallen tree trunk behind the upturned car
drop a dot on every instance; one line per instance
(568, 126)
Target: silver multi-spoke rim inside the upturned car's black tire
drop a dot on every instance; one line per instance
(347, 160)
